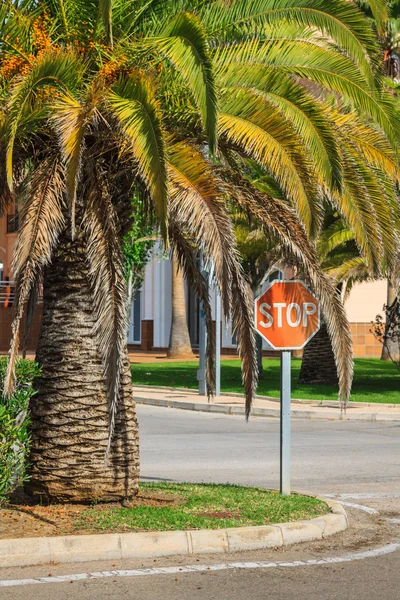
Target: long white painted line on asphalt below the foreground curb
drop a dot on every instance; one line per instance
(351, 556)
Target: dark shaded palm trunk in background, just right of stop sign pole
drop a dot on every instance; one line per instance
(318, 364)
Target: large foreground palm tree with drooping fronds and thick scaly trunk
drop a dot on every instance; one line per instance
(101, 101)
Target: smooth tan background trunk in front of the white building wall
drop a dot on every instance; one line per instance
(179, 346)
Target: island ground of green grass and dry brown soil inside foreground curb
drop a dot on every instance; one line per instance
(162, 507)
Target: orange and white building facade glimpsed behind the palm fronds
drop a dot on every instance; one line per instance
(151, 310)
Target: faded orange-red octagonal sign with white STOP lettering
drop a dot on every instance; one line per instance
(287, 315)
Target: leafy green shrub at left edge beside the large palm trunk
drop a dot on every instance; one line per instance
(14, 427)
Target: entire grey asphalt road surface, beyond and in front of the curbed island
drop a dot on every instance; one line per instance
(357, 462)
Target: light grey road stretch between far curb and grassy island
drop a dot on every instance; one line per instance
(327, 456)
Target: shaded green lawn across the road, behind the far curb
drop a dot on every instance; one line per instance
(374, 381)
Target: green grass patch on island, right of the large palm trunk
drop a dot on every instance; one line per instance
(168, 507)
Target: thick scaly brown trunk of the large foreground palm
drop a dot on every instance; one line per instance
(69, 412)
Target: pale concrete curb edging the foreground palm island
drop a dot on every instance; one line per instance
(82, 548)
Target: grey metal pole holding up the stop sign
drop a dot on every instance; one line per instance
(285, 423)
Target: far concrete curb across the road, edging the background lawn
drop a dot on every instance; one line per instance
(258, 411)
